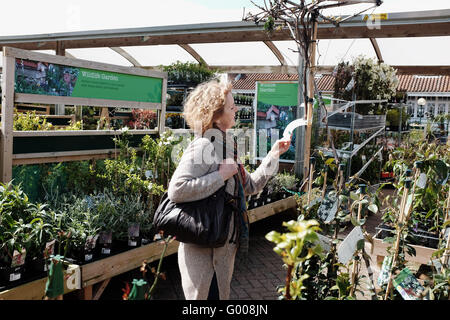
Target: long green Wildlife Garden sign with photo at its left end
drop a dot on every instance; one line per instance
(44, 78)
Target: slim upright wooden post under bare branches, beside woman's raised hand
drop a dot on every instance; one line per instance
(310, 94)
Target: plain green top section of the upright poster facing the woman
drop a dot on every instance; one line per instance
(280, 94)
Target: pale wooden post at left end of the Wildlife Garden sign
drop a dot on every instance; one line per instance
(7, 116)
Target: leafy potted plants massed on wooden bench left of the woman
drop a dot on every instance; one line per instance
(84, 211)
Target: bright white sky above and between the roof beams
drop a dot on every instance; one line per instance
(53, 16)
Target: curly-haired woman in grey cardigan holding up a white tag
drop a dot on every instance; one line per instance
(201, 172)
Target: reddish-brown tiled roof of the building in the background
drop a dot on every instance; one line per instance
(325, 82)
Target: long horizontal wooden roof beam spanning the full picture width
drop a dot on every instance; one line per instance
(398, 25)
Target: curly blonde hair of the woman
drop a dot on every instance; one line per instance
(205, 104)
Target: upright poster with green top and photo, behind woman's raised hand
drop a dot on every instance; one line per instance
(276, 107)
